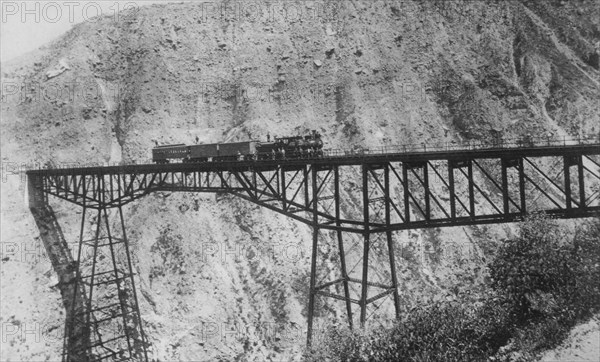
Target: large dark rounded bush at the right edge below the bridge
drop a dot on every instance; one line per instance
(545, 271)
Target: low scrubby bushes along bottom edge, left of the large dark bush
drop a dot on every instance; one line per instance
(443, 331)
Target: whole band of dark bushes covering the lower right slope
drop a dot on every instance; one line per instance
(542, 283)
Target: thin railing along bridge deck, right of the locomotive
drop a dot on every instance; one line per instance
(498, 143)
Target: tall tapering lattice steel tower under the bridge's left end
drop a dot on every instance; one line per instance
(109, 315)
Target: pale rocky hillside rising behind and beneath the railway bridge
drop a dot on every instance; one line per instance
(363, 73)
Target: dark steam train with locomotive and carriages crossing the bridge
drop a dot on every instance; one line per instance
(309, 146)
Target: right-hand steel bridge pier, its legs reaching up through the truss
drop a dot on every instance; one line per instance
(376, 205)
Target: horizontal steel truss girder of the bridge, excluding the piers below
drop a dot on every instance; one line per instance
(432, 193)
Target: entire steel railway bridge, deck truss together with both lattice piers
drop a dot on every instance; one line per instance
(407, 188)
